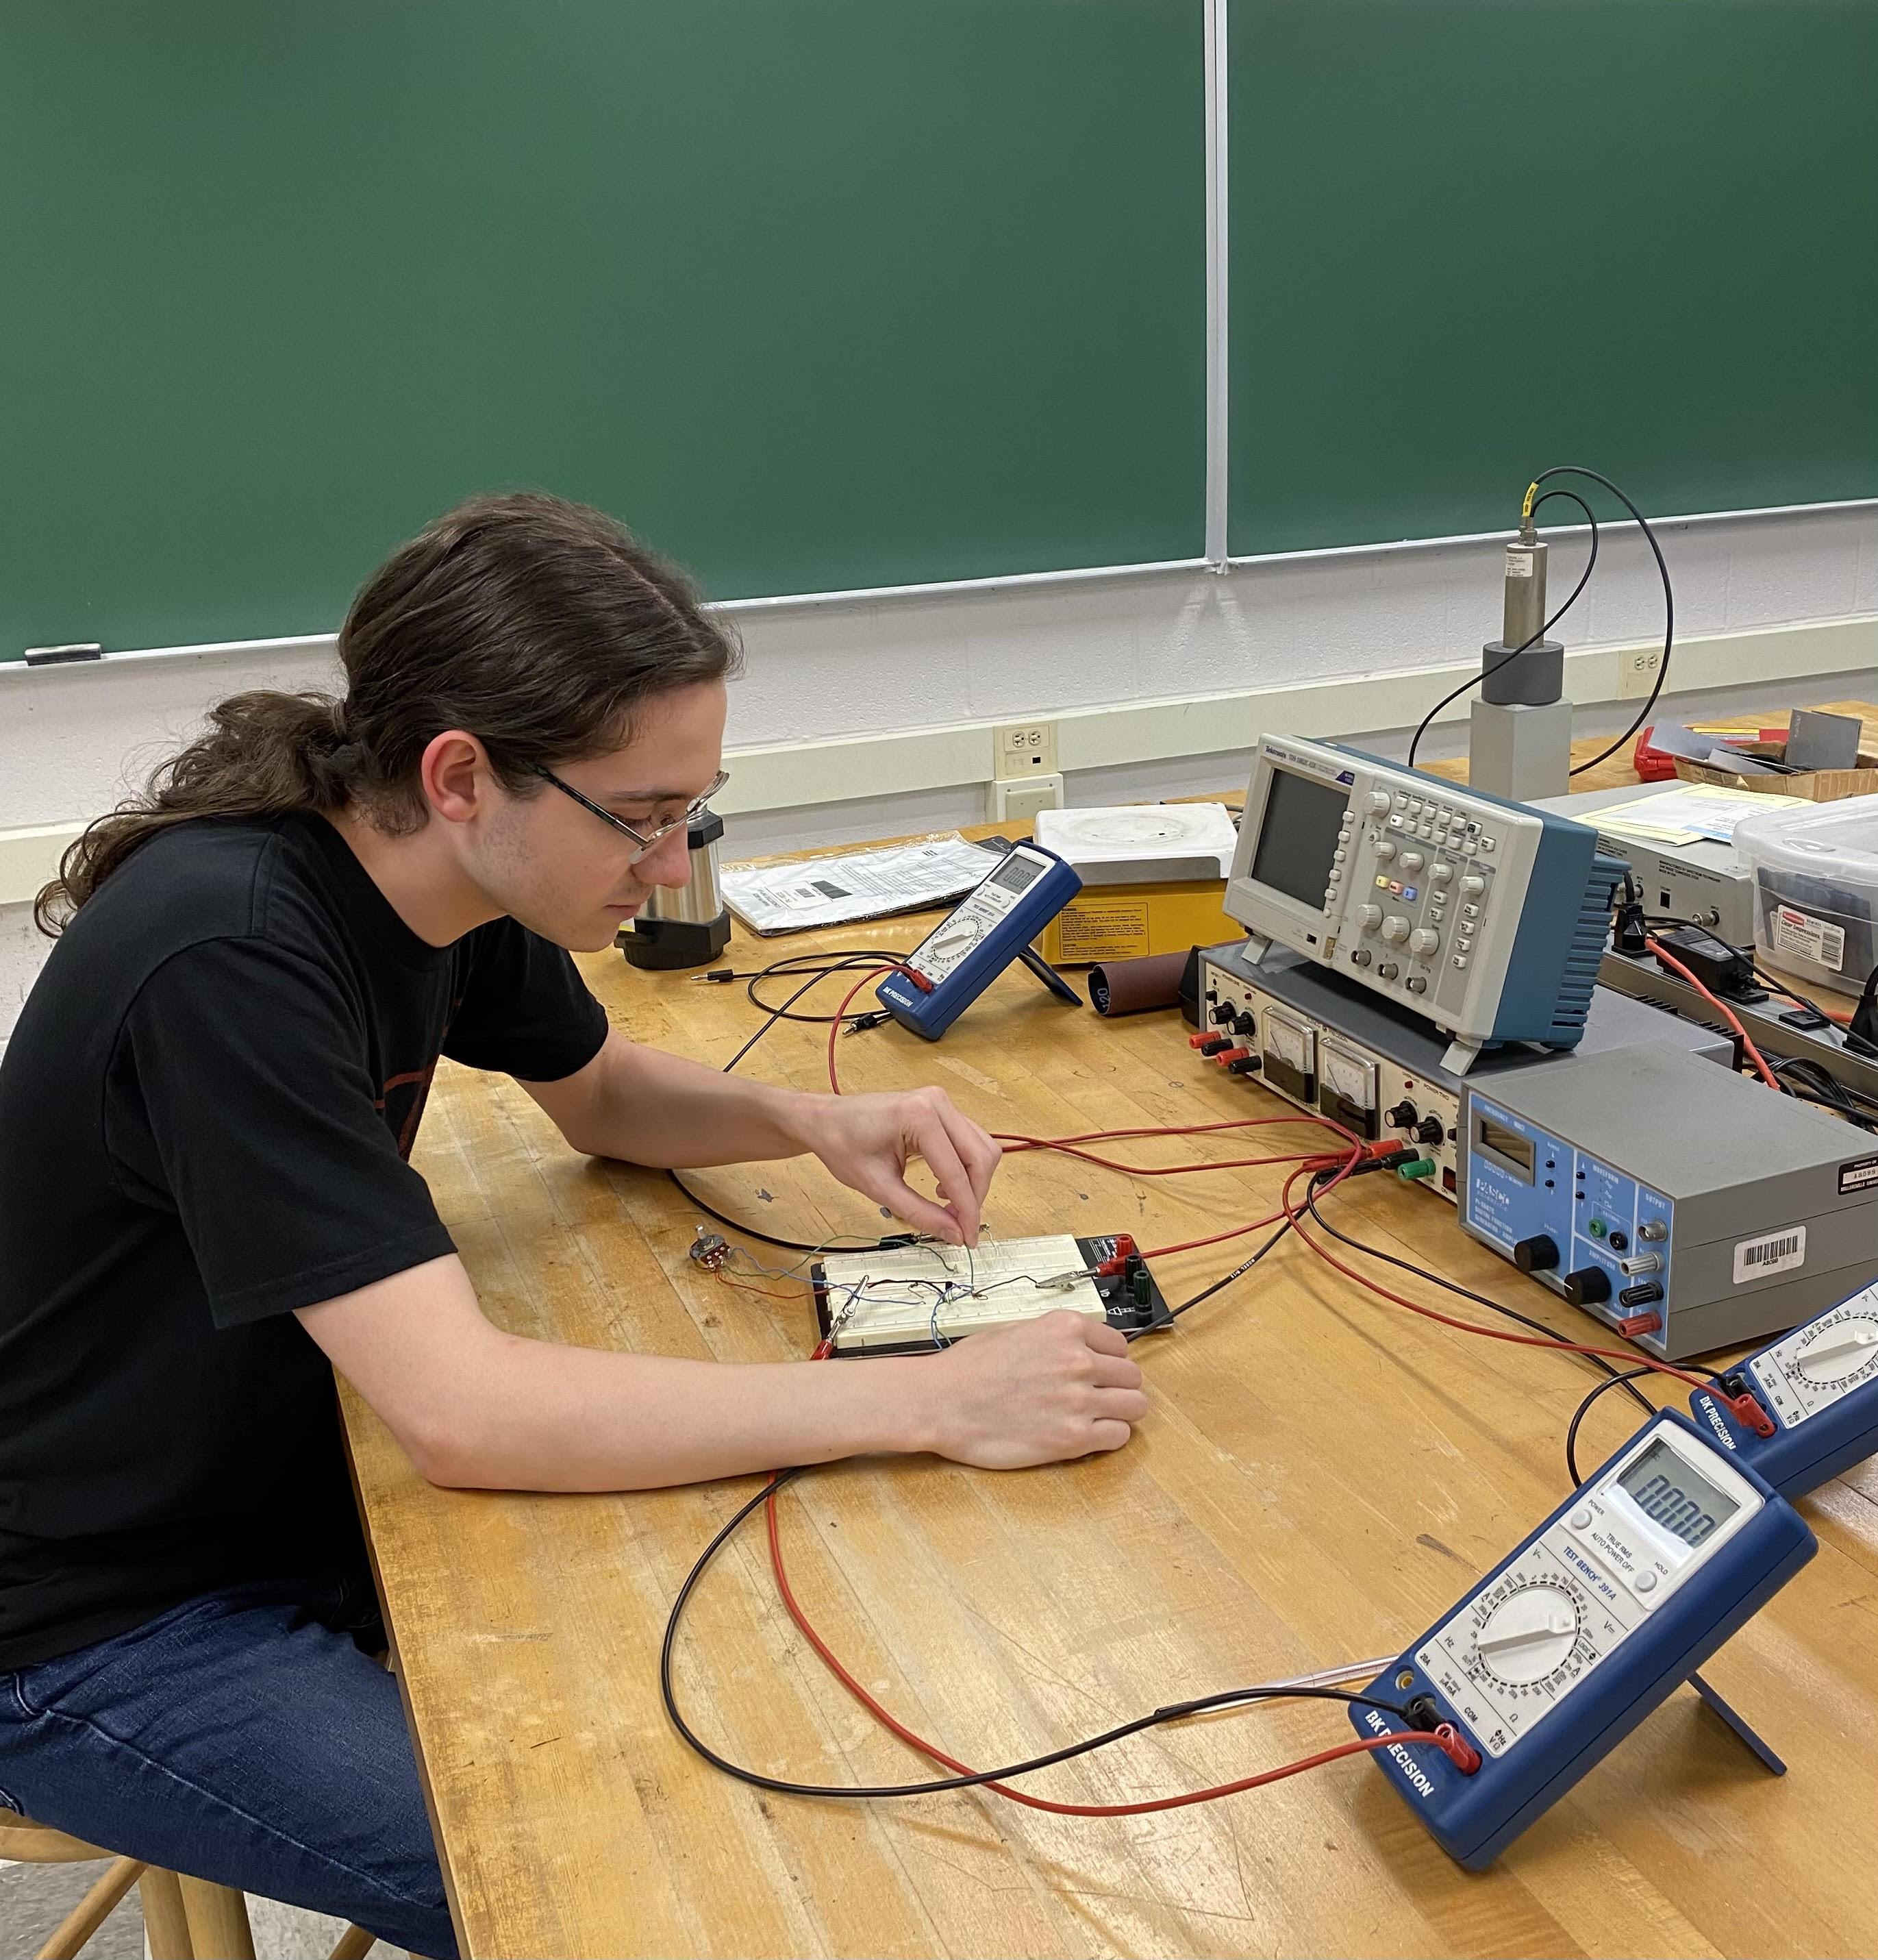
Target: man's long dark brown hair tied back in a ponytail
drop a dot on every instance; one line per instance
(534, 624)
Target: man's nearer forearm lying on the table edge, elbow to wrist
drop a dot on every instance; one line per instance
(536, 1416)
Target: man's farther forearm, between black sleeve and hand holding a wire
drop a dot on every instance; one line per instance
(677, 1114)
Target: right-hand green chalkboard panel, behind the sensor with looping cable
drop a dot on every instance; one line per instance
(1475, 238)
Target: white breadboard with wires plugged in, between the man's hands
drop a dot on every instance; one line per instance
(930, 1295)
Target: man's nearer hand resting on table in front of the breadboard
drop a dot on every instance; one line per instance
(1042, 1393)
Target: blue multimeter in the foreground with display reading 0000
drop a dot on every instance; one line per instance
(1573, 1640)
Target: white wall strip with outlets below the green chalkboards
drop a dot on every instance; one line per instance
(867, 716)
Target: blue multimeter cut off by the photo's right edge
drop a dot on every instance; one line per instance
(1820, 1385)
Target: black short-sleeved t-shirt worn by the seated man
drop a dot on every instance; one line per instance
(205, 1122)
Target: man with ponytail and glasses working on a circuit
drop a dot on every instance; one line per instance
(207, 1204)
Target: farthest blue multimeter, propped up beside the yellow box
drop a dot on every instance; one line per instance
(979, 938)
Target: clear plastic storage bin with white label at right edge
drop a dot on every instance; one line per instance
(1816, 889)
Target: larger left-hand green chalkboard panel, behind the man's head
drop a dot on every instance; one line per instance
(813, 293)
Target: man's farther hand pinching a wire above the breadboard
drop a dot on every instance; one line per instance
(867, 1142)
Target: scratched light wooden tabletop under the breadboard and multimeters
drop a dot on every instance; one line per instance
(1320, 1479)
